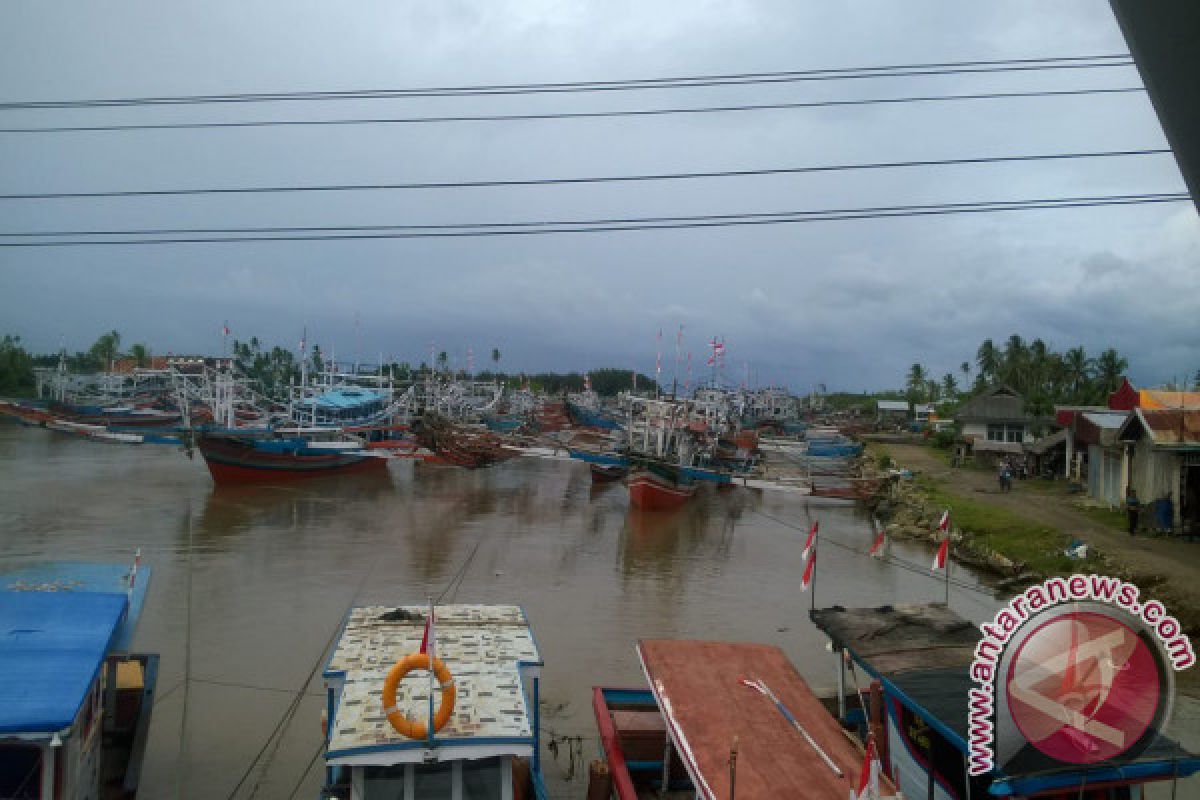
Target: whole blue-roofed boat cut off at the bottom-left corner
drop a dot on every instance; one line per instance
(75, 703)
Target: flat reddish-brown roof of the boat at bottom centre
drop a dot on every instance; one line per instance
(699, 691)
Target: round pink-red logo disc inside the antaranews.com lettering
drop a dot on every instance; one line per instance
(1084, 688)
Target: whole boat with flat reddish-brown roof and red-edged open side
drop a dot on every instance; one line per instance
(721, 720)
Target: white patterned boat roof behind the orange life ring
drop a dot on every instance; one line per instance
(488, 651)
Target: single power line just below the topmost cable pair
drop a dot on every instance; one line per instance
(569, 116)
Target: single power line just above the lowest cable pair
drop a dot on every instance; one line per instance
(604, 179)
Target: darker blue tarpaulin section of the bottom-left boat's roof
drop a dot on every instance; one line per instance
(52, 646)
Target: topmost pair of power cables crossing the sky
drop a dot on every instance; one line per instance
(687, 82)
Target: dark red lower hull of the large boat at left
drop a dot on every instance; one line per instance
(238, 461)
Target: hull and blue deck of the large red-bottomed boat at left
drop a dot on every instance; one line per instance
(244, 458)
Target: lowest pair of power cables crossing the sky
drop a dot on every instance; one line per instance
(579, 226)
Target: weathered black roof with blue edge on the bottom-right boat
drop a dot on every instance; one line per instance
(922, 655)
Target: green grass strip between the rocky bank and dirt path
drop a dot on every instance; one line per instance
(1040, 548)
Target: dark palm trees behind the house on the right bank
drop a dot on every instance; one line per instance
(1045, 377)
